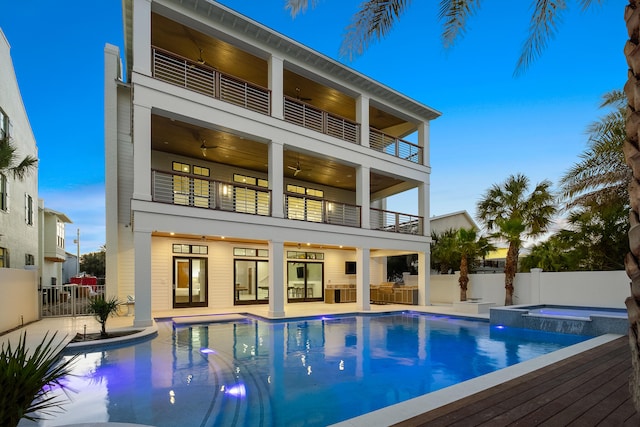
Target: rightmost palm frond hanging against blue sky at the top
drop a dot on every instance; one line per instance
(542, 27)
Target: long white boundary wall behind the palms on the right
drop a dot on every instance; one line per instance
(583, 288)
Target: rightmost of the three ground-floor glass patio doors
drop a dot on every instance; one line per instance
(305, 281)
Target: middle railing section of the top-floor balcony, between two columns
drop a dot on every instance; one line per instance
(306, 115)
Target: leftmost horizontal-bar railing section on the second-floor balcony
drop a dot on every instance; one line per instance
(201, 192)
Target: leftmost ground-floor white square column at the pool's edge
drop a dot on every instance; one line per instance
(142, 277)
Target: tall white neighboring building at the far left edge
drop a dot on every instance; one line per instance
(18, 199)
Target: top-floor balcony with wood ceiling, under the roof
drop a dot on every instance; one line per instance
(198, 62)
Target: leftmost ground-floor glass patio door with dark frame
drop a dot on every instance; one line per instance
(189, 282)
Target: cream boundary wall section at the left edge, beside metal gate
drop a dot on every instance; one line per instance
(19, 289)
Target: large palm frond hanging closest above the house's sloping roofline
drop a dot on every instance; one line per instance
(373, 21)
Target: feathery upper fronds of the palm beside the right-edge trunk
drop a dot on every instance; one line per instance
(602, 176)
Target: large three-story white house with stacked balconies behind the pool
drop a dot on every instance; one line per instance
(245, 168)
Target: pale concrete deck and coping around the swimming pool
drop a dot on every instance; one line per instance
(386, 416)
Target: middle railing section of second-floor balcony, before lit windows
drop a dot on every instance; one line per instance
(312, 209)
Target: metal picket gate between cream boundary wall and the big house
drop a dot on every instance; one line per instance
(69, 299)
